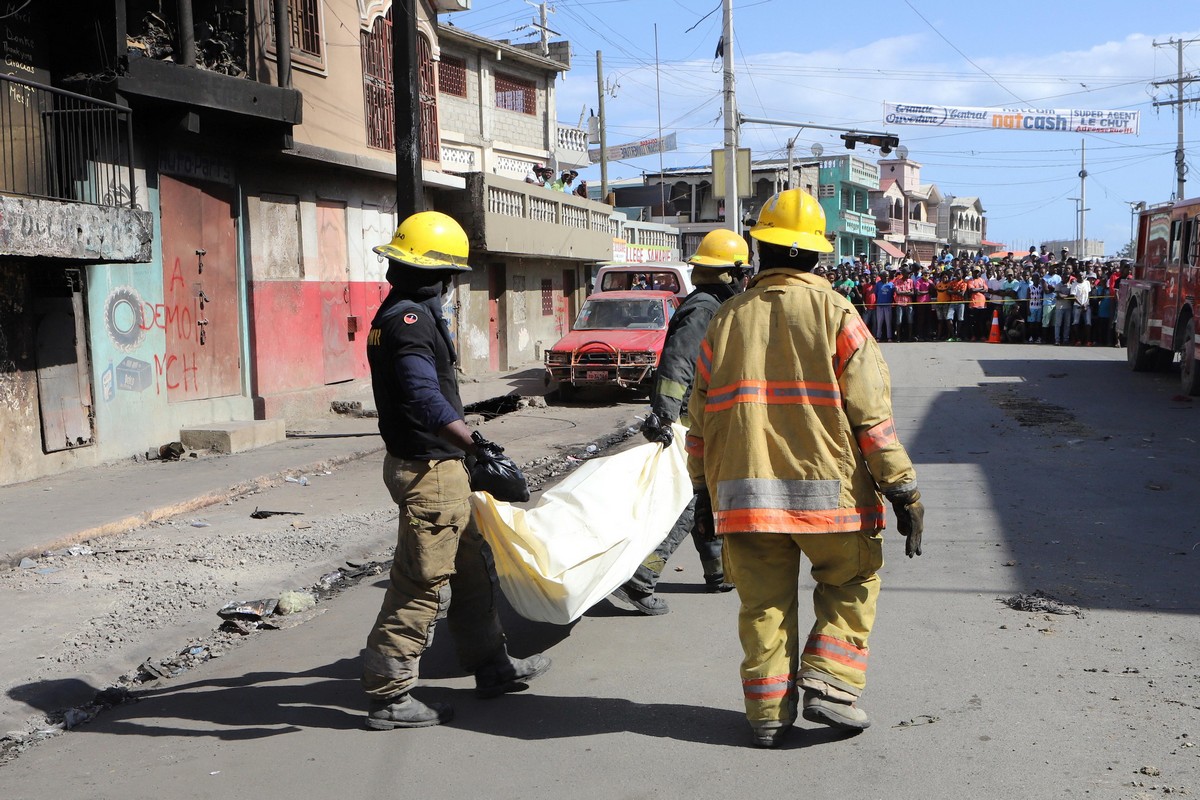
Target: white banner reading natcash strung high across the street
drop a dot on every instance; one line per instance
(1066, 121)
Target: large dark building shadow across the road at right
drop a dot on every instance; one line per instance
(1090, 468)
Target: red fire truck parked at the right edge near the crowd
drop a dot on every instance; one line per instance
(1157, 304)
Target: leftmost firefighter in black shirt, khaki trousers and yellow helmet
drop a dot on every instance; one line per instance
(440, 552)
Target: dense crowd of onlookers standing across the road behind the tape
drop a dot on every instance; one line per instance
(1037, 298)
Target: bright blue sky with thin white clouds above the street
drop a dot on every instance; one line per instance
(837, 64)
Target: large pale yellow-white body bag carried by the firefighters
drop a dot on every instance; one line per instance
(587, 536)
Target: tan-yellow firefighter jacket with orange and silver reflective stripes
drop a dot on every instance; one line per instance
(791, 413)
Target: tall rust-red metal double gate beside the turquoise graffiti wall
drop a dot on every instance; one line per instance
(200, 282)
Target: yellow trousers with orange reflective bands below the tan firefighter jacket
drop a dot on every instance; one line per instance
(766, 569)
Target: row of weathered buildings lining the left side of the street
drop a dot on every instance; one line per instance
(189, 218)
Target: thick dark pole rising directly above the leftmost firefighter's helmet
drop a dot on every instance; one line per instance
(406, 76)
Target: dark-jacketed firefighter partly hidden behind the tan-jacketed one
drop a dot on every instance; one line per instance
(717, 274)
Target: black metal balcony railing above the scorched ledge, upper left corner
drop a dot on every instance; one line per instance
(64, 147)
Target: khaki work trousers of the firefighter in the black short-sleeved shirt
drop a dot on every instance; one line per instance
(440, 555)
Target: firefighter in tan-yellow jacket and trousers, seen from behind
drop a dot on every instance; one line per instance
(793, 449)
